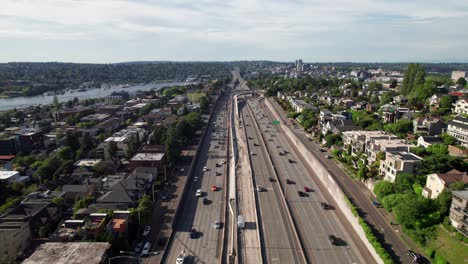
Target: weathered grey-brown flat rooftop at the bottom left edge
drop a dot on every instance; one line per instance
(69, 253)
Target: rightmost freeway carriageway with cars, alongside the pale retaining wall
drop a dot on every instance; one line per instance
(314, 223)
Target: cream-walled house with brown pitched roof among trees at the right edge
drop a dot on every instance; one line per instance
(437, 182)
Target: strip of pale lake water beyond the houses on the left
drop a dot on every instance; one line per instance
(22, 102)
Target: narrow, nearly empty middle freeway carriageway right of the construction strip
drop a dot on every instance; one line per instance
(279, 244)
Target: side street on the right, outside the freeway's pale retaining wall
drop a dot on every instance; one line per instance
(356, 191)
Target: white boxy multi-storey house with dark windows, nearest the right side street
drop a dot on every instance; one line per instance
(398, 162)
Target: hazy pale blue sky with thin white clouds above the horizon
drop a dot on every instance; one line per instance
(106, 31)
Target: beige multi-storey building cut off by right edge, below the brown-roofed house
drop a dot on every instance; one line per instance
(459, 211)
